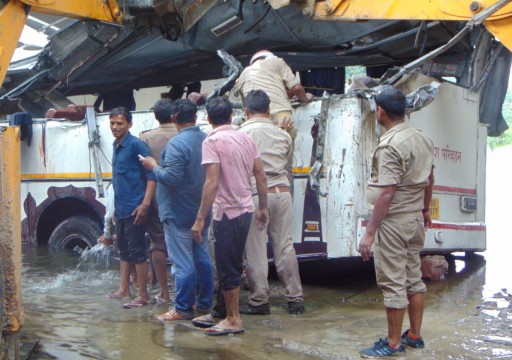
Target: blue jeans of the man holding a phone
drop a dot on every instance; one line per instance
(191, 269)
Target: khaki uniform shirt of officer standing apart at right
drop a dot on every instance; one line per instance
(404, 157)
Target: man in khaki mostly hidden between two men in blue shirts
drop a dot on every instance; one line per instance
(156, 139)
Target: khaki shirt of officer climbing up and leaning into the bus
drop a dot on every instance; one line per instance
(273, 76)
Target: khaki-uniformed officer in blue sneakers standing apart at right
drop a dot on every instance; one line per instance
(399, 192)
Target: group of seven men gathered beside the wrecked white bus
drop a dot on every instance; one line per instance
(179, 184)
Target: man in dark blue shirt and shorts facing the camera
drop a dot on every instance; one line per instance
(134, 187)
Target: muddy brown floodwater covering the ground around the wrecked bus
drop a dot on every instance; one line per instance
(468, 314)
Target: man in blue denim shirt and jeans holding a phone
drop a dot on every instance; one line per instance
(180, 179)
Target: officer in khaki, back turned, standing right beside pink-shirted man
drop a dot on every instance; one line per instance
(275, 147)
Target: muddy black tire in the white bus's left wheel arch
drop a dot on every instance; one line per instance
(75, 231)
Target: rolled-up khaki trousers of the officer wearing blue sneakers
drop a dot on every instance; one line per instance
(396, 252)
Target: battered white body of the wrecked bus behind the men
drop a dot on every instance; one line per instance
(67, 164)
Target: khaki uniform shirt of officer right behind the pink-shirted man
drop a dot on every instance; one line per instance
(275, 147)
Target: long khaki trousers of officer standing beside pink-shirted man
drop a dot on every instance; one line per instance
(278, 233)
